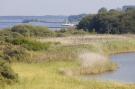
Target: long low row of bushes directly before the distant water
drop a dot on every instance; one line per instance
(29, 31)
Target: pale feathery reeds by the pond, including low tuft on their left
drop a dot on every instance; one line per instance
(91, 64)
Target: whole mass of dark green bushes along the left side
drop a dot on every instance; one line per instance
(14, 46)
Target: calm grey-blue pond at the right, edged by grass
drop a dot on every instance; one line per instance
(125, 73)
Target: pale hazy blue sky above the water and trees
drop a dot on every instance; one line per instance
(57, 7)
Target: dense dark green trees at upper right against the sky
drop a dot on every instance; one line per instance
(109, 22)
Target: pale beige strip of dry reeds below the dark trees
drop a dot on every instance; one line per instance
(85, 39)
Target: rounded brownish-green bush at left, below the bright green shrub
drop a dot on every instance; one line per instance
(15, 53)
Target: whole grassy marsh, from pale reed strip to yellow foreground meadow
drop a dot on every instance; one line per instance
(90, 50)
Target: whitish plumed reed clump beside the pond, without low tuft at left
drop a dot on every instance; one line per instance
(93, 63)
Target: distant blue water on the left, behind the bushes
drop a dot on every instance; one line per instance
(10, 21)
